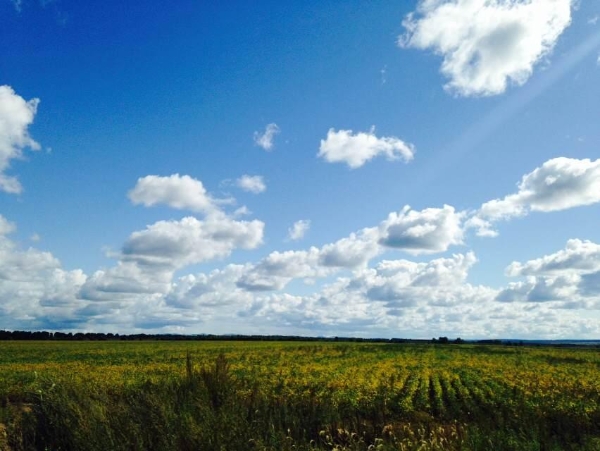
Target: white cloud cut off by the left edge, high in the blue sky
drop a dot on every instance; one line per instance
(16, 115)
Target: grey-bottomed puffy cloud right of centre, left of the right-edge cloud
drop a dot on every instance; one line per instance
(422, 232)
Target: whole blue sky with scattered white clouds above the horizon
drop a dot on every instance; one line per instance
(389, 169)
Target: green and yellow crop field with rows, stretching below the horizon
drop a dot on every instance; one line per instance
(197, 395)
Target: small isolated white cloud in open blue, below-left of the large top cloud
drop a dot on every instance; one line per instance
(355, 150)
